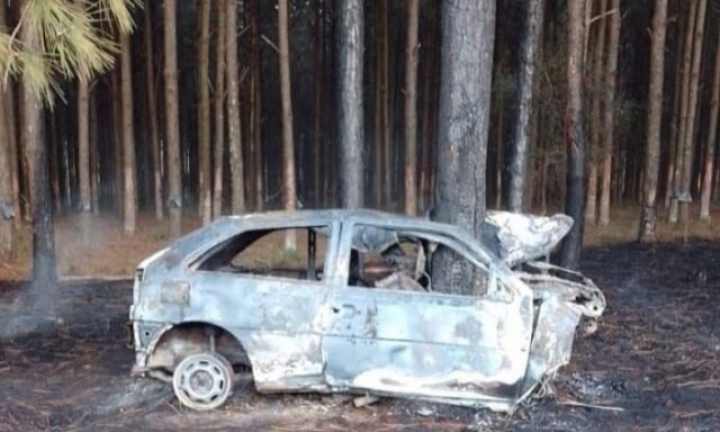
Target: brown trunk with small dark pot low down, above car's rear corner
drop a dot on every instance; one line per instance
(172, 121)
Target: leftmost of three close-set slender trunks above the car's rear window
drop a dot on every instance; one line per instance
(204, 182)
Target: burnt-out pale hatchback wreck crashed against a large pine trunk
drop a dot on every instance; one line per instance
(347, 301)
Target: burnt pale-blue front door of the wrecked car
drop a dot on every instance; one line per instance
(429, 344)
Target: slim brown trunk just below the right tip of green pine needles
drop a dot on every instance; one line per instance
(128, 134)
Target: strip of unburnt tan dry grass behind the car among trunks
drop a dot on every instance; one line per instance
(105, 249)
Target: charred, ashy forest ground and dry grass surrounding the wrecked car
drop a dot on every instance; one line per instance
(653, 365)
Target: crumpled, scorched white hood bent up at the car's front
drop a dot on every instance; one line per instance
(518, 237)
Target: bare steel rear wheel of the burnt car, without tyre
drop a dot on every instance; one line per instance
(203, 381)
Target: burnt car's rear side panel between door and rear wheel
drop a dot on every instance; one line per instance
(276, 317)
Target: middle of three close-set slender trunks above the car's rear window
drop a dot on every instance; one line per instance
(219, 103)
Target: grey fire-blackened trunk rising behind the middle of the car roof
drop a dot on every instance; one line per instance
(350, 76)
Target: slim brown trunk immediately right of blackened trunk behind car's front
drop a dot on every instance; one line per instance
(595, 100)
